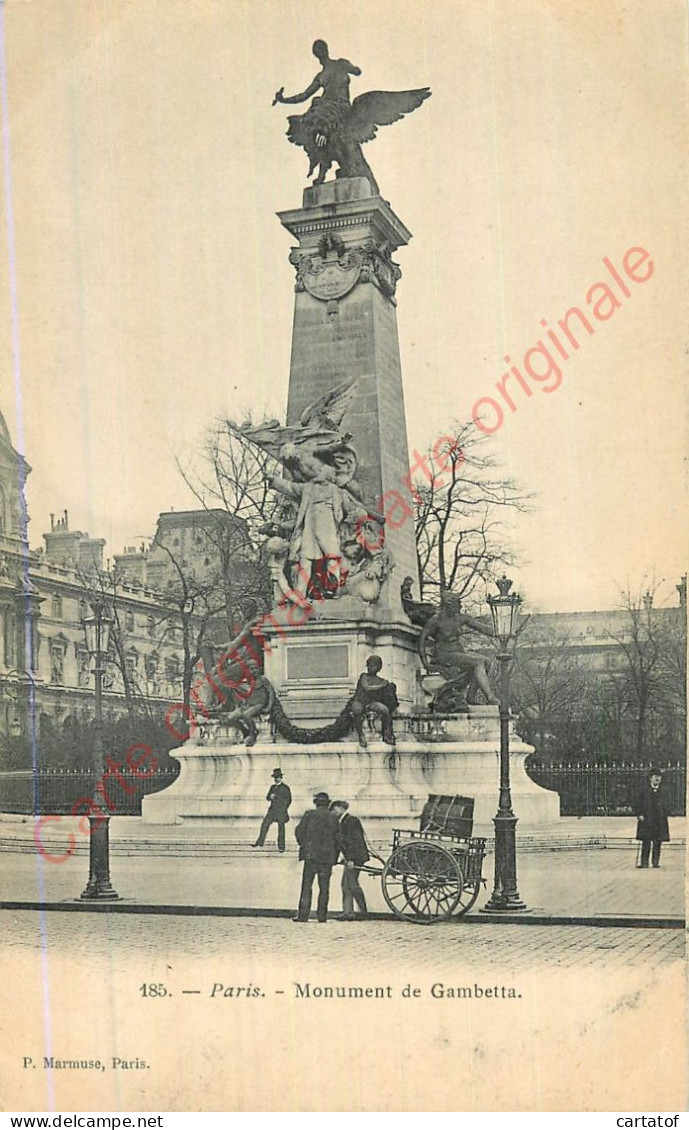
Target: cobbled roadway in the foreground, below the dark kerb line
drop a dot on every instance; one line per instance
(434, 951)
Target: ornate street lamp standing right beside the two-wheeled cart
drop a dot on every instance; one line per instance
(505, 612)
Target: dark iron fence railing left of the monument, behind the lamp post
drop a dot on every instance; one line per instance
(57, 792)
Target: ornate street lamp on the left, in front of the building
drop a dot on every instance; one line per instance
(97, 629)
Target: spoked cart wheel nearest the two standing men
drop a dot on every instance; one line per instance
(423, 882)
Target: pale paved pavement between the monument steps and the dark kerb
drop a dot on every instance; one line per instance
(592, 882)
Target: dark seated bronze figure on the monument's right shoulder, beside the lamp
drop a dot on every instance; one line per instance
(465, 672)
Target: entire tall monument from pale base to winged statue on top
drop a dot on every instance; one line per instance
(345, 682)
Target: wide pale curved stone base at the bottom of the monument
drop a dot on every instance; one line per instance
(387, 788)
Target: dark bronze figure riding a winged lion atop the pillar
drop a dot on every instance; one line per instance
(334, 128)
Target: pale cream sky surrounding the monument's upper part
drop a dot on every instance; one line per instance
(146, 290)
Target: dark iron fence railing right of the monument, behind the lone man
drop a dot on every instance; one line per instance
(594, 789)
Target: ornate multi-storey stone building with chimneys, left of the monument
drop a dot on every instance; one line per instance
(46, 671)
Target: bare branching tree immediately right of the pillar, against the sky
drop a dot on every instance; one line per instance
(463, 510)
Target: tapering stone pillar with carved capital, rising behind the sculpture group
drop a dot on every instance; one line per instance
(346, 328)
